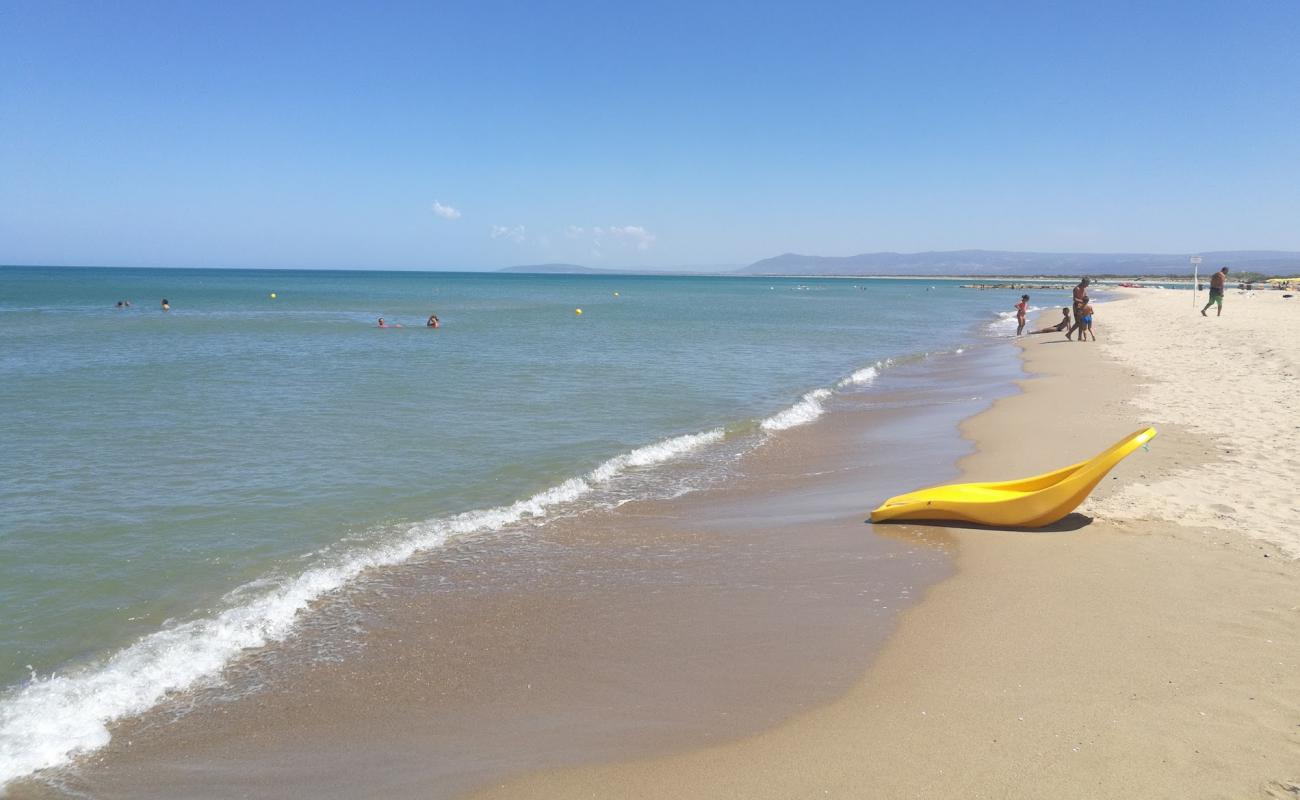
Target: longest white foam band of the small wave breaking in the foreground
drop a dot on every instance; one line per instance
(53, 720)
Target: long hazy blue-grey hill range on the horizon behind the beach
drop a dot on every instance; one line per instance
(1004, 262)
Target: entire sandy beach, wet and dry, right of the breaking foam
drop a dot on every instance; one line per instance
(757, 639)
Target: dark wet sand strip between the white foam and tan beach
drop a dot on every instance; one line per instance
(658, 628)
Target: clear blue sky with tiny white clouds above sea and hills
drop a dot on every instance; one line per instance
(324, 135)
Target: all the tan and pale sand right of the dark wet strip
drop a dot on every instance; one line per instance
(1147, 647)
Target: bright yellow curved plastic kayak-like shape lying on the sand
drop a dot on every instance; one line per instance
(1030, 503)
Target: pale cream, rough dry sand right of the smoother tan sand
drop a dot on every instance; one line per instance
(1233, 379)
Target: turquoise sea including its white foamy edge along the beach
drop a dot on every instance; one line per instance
(177, 487)
